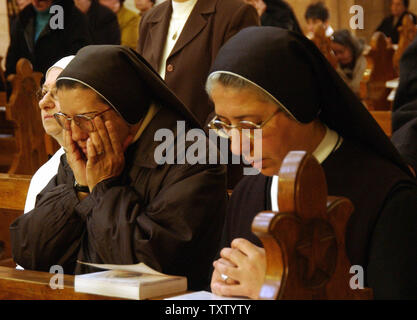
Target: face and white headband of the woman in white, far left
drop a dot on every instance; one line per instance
(49, 104)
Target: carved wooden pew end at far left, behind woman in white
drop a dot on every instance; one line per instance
(25, 146)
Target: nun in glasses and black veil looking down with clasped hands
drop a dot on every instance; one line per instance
(280, 82)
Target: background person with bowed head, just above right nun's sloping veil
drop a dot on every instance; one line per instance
(351, 62)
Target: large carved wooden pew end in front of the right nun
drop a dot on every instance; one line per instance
(305, 241)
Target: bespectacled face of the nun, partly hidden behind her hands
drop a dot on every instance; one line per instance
(86, 101)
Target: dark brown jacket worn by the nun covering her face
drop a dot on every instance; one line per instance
(176, 232)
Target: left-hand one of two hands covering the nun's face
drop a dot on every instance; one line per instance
(75, 158)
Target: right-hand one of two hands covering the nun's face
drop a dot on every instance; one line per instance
(105, 153)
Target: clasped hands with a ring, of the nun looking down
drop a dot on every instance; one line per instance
(245, 265)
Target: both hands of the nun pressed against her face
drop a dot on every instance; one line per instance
(104, 158)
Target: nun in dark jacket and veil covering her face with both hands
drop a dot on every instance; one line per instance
(112, 200)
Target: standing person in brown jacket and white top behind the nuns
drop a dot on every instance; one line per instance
(181, 38)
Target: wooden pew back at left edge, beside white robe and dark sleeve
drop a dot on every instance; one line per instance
(13, 190)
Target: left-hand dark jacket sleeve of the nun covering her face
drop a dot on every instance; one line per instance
(51, 233)
